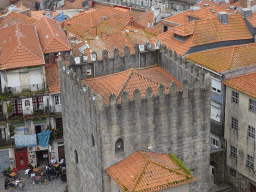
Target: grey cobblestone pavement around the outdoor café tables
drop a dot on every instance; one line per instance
(53, 186)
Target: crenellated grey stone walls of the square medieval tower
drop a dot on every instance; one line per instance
(177, 122)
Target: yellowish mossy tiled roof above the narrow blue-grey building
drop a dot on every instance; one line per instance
(226, 58)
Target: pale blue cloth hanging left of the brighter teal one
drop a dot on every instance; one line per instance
(25, 140)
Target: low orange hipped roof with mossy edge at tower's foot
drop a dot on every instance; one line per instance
(147, 171)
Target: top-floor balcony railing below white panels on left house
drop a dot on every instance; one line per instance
(25, 88)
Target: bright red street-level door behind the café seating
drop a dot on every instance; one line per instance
(21, 157)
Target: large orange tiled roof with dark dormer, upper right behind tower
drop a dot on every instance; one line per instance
(205, 31)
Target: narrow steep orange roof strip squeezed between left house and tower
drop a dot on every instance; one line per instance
(52, 78)
